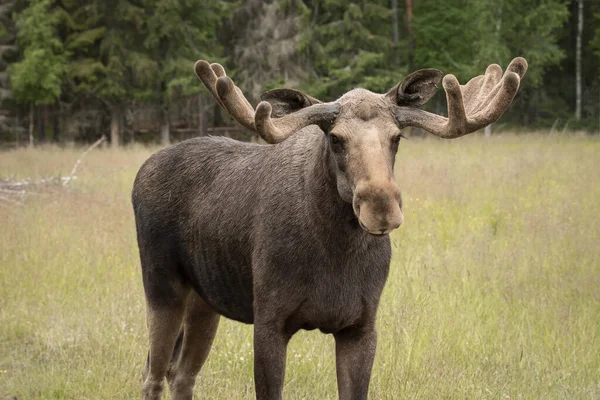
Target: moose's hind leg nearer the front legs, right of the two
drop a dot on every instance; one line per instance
(199, 328)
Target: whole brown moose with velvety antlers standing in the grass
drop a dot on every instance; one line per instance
(288, 235)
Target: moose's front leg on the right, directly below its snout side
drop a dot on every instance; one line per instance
(355, 352)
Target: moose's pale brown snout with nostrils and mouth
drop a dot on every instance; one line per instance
(378, 207)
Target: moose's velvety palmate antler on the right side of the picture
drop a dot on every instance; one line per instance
(470, 107)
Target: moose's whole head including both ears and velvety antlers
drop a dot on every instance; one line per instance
(363, 129)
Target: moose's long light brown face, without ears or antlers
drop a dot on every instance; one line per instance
(363, 142)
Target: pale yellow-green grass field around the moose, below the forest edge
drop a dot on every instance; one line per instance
(494, 290)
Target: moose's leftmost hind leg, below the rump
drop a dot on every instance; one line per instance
(164, 321)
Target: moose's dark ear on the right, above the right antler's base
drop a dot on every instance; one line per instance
(416, 89)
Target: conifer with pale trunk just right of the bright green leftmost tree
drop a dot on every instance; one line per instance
(108, 60)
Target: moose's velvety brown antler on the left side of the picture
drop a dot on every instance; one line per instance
(272, 130)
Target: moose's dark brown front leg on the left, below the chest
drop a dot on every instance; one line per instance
(270, 345)
